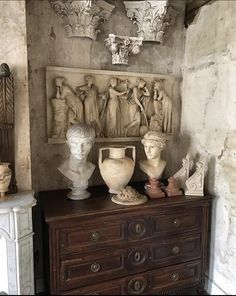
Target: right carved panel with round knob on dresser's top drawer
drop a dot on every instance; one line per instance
(178, 221)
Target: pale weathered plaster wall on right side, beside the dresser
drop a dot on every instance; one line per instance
(209, 125)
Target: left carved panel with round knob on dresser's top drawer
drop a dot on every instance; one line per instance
(77, 238)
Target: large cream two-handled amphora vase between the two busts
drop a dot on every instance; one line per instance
(117, 169)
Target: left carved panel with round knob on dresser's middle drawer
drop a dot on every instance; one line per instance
(91, 267)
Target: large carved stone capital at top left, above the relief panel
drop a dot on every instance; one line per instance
(82, 17)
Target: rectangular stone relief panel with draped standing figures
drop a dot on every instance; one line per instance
(121, 106)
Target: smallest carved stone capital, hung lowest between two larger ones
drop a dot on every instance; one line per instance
(121, 47)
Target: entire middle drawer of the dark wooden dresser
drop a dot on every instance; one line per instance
(88, 267)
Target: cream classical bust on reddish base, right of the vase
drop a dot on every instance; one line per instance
(154, 143)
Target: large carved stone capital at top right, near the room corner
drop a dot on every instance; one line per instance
(152, 18)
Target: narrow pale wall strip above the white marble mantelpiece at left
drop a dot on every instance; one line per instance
(13, 51)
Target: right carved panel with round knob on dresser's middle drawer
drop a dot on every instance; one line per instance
(173, 251)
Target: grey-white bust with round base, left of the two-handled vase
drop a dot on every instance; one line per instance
(80, 138)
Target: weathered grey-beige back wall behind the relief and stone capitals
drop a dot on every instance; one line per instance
(48, 45)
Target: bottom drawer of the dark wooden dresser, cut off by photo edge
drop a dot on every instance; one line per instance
(155, 281)
